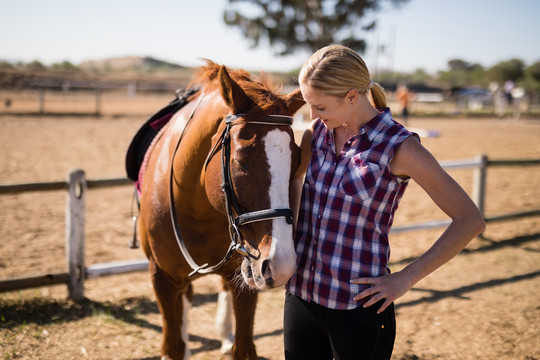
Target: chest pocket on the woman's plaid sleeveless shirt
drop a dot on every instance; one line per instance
(360, 178)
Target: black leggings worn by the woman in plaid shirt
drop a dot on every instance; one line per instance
(314, 332)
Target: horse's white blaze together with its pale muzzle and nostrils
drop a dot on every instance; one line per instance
(281, 261)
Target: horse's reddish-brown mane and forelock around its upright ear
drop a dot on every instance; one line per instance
(260, 89)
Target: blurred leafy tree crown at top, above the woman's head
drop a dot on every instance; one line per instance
(292, 25)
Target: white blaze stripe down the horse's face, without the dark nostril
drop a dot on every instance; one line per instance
(282, 254)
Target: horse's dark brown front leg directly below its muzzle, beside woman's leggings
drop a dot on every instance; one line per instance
(245, 302)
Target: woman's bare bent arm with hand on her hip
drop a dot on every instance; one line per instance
(413, 160)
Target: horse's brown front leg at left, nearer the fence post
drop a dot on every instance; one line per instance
(174, 302)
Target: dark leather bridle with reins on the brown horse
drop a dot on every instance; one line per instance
(231, 201)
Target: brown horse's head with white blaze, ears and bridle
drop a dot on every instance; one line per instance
(249, 176)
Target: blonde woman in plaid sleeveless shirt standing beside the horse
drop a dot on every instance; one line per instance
(356, 163)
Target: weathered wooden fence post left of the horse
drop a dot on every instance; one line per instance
(75, 220)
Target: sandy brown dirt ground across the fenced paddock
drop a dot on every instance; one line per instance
(484, 304)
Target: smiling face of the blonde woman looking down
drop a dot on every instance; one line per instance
(332, 110)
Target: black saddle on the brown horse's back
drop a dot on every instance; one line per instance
(145, 135)
